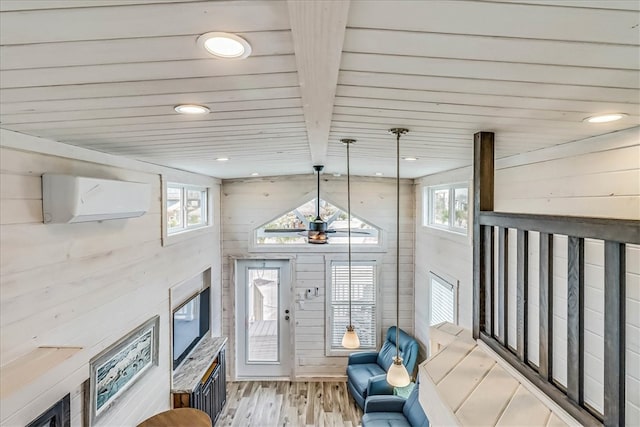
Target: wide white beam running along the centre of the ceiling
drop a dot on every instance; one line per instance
(318, 29)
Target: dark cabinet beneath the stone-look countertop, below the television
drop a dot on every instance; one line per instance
(210, 394)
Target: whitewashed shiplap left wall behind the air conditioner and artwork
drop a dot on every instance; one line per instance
(87, 284)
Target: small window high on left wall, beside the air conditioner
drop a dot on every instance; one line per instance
(186, 207)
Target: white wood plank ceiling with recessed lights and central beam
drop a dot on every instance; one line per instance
(106, 74)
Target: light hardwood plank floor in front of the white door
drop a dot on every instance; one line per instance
(293, 404)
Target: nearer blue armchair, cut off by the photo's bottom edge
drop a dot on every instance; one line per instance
(385, 411)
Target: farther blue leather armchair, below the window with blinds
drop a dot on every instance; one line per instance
(367, 371)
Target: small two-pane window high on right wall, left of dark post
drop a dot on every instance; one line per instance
(447, 207)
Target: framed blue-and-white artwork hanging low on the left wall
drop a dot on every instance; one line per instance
(118, 367)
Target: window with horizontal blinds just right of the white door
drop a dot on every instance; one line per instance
(363, 304)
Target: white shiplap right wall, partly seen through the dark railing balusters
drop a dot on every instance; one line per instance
(597, 177)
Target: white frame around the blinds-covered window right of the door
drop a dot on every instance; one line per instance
(342, 260)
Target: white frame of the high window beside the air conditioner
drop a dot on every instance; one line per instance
(173, 235)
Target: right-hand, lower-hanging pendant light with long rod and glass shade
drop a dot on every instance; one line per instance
(397, 375)
